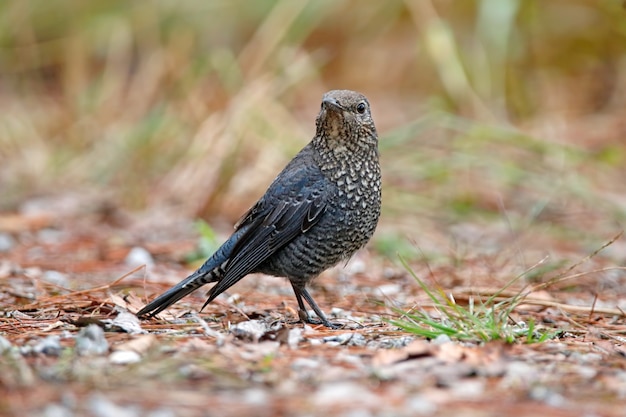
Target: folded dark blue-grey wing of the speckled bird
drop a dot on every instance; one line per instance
(268, 230)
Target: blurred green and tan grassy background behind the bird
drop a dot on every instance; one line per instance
(502, 122)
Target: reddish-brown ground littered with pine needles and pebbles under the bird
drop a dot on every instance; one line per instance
(69, 279)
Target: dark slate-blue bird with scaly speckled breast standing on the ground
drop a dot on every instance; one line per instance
(320, 209)
